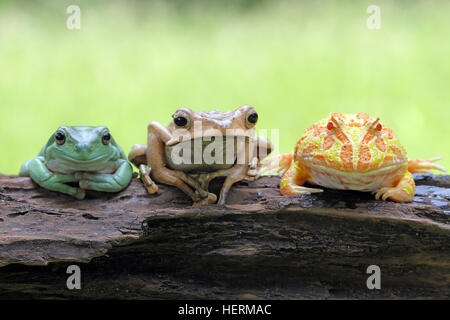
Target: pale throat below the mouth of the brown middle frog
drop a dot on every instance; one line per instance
(204, 155)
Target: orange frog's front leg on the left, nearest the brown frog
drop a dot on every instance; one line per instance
(293, 179)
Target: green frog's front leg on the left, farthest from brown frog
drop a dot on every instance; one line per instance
(37, 170)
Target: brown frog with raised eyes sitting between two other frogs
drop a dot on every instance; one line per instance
(197, 147)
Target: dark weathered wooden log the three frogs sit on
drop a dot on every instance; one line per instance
(132, 245)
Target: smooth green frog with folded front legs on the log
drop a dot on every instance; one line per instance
(84, 156)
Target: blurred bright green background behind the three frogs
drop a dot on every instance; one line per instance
(133, 62)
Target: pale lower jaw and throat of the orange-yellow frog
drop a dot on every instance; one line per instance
(361, 181)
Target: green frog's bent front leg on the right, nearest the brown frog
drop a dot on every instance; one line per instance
(107, 182)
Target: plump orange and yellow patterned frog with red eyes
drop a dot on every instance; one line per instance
(352, 152)
